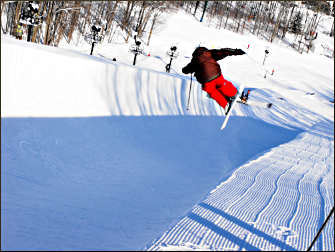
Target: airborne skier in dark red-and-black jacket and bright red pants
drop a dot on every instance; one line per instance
(208, 73)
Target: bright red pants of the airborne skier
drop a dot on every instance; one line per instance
(219, 88)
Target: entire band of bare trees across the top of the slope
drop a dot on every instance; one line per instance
(267, 19)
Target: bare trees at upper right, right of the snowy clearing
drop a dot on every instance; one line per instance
(267, 19)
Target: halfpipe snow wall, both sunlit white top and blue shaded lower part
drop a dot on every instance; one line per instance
(78, 176)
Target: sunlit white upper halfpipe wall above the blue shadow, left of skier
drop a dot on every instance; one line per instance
(64, 83)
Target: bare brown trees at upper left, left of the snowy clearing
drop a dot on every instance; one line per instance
(60, 19)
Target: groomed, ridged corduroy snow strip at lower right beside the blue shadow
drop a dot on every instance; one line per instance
(276, 202)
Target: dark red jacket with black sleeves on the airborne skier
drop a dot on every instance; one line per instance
(204, 63)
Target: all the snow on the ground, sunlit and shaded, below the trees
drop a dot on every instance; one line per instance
(103, 155)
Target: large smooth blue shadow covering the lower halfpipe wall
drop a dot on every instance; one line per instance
(115, 183)
